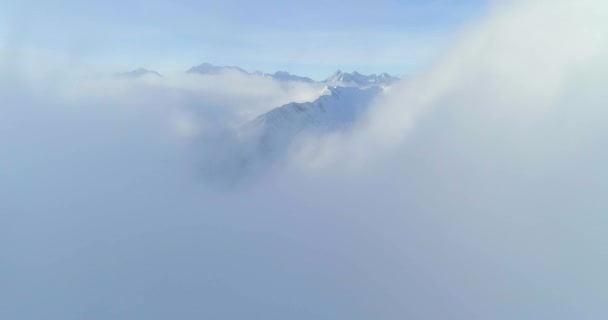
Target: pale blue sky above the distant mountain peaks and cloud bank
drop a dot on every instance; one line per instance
(311, 38)
